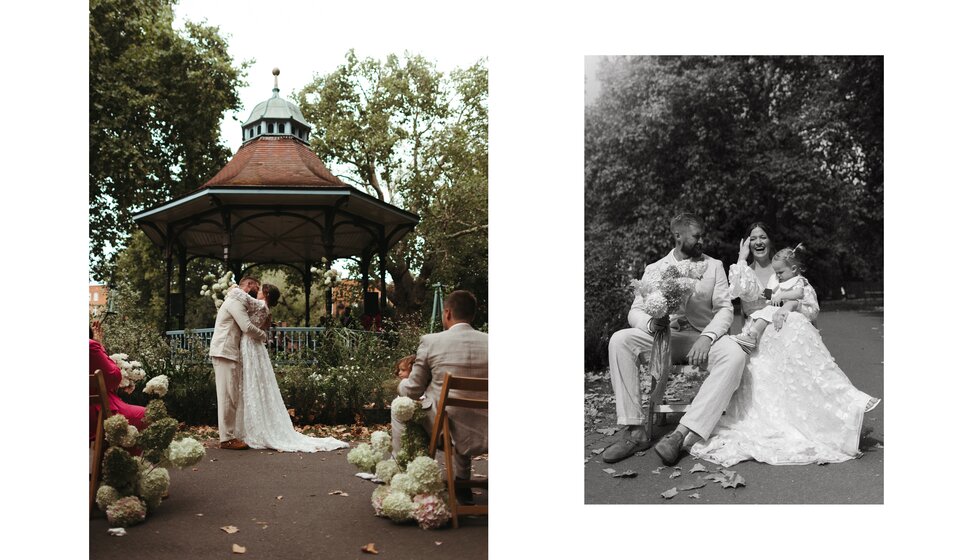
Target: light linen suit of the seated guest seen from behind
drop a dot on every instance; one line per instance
(462, 351)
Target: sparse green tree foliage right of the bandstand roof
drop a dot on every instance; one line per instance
(409, 134)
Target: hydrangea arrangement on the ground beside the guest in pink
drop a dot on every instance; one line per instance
(131, 486)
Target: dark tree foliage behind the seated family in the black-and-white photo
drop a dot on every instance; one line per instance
(795, 142)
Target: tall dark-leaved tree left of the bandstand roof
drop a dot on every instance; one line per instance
(156, 98)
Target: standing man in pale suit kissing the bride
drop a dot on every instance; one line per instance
(225, 354)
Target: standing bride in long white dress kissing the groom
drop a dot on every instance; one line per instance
(267, 424)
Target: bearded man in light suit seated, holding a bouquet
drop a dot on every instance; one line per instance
(700, 333)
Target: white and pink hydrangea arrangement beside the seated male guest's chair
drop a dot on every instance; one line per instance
(411, 487)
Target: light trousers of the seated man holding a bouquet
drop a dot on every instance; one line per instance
(726, 361)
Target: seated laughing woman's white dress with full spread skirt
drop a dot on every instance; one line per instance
(794, 405)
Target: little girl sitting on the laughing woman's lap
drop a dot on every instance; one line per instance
(786, 285)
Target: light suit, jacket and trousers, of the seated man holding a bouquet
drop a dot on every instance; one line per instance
(708, 310)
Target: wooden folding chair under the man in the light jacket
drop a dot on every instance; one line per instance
(441, 427)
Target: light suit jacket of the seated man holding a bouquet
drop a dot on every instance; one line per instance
(708, 310)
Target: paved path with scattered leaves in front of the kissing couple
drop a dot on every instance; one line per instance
(282, 506)
